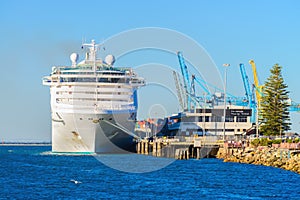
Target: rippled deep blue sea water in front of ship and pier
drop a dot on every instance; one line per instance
(29, 172)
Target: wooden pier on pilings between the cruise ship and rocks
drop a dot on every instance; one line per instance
(180, 147)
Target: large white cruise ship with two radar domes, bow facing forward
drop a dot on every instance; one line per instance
(93, 104)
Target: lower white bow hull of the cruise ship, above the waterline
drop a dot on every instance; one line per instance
(85, 133)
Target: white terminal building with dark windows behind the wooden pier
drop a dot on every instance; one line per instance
(210, 121)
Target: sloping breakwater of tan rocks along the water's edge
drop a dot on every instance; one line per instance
(288, 159)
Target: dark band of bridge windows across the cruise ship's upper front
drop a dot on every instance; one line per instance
(101, 80)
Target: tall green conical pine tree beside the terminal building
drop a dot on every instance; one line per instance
(274, 113)
